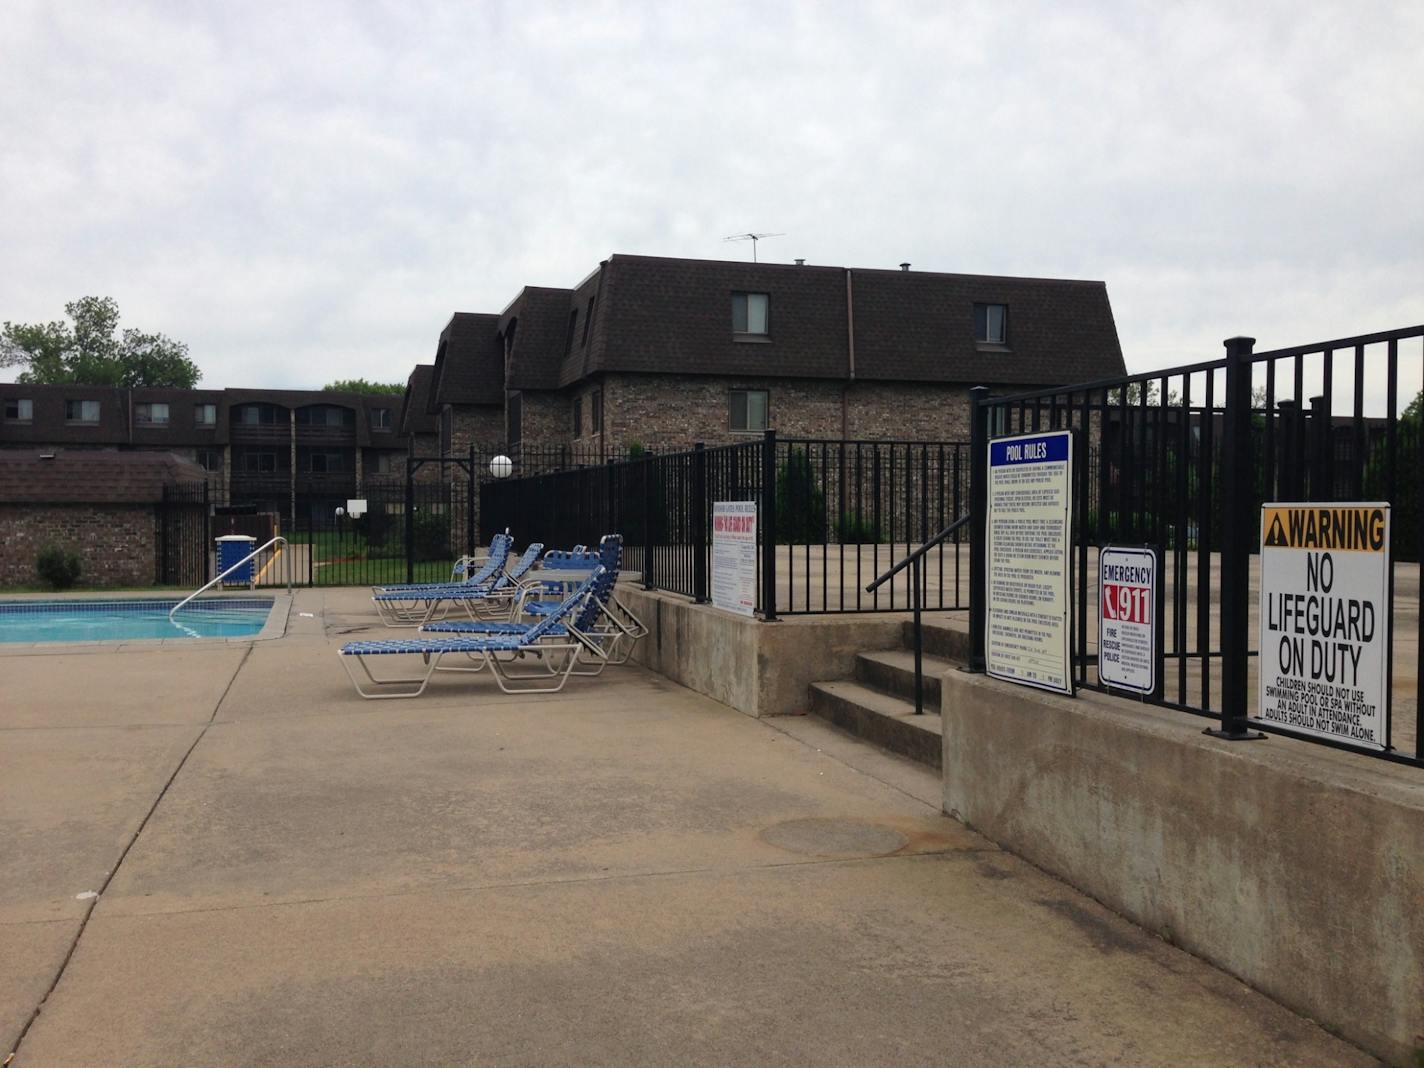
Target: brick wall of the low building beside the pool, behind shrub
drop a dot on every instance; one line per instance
(116, 542)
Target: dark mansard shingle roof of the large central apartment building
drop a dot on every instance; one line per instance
(664, 315)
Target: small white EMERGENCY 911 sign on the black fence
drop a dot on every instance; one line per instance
(1130, 619)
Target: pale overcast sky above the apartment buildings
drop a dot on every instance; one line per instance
(308, 192)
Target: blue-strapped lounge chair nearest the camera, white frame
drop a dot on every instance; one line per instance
(557, 651)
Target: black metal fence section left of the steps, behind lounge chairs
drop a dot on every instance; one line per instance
(832, 516)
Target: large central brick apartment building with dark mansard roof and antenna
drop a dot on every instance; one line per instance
(661, 351)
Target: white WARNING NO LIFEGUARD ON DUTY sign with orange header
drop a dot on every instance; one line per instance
(1325, 620)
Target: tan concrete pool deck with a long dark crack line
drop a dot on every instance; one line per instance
(623, 874)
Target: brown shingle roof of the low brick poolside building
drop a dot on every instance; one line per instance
(92, 476)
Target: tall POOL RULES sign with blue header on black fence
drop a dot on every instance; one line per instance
(1030, 509)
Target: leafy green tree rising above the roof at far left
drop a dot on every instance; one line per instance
(90, 351)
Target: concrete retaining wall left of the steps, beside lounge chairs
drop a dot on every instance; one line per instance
(758, 669)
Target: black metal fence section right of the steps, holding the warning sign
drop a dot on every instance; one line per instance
(1184, 459)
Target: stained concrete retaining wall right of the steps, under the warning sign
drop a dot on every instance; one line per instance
(1297, 868)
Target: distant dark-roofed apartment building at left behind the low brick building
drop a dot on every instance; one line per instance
(280, 449)
